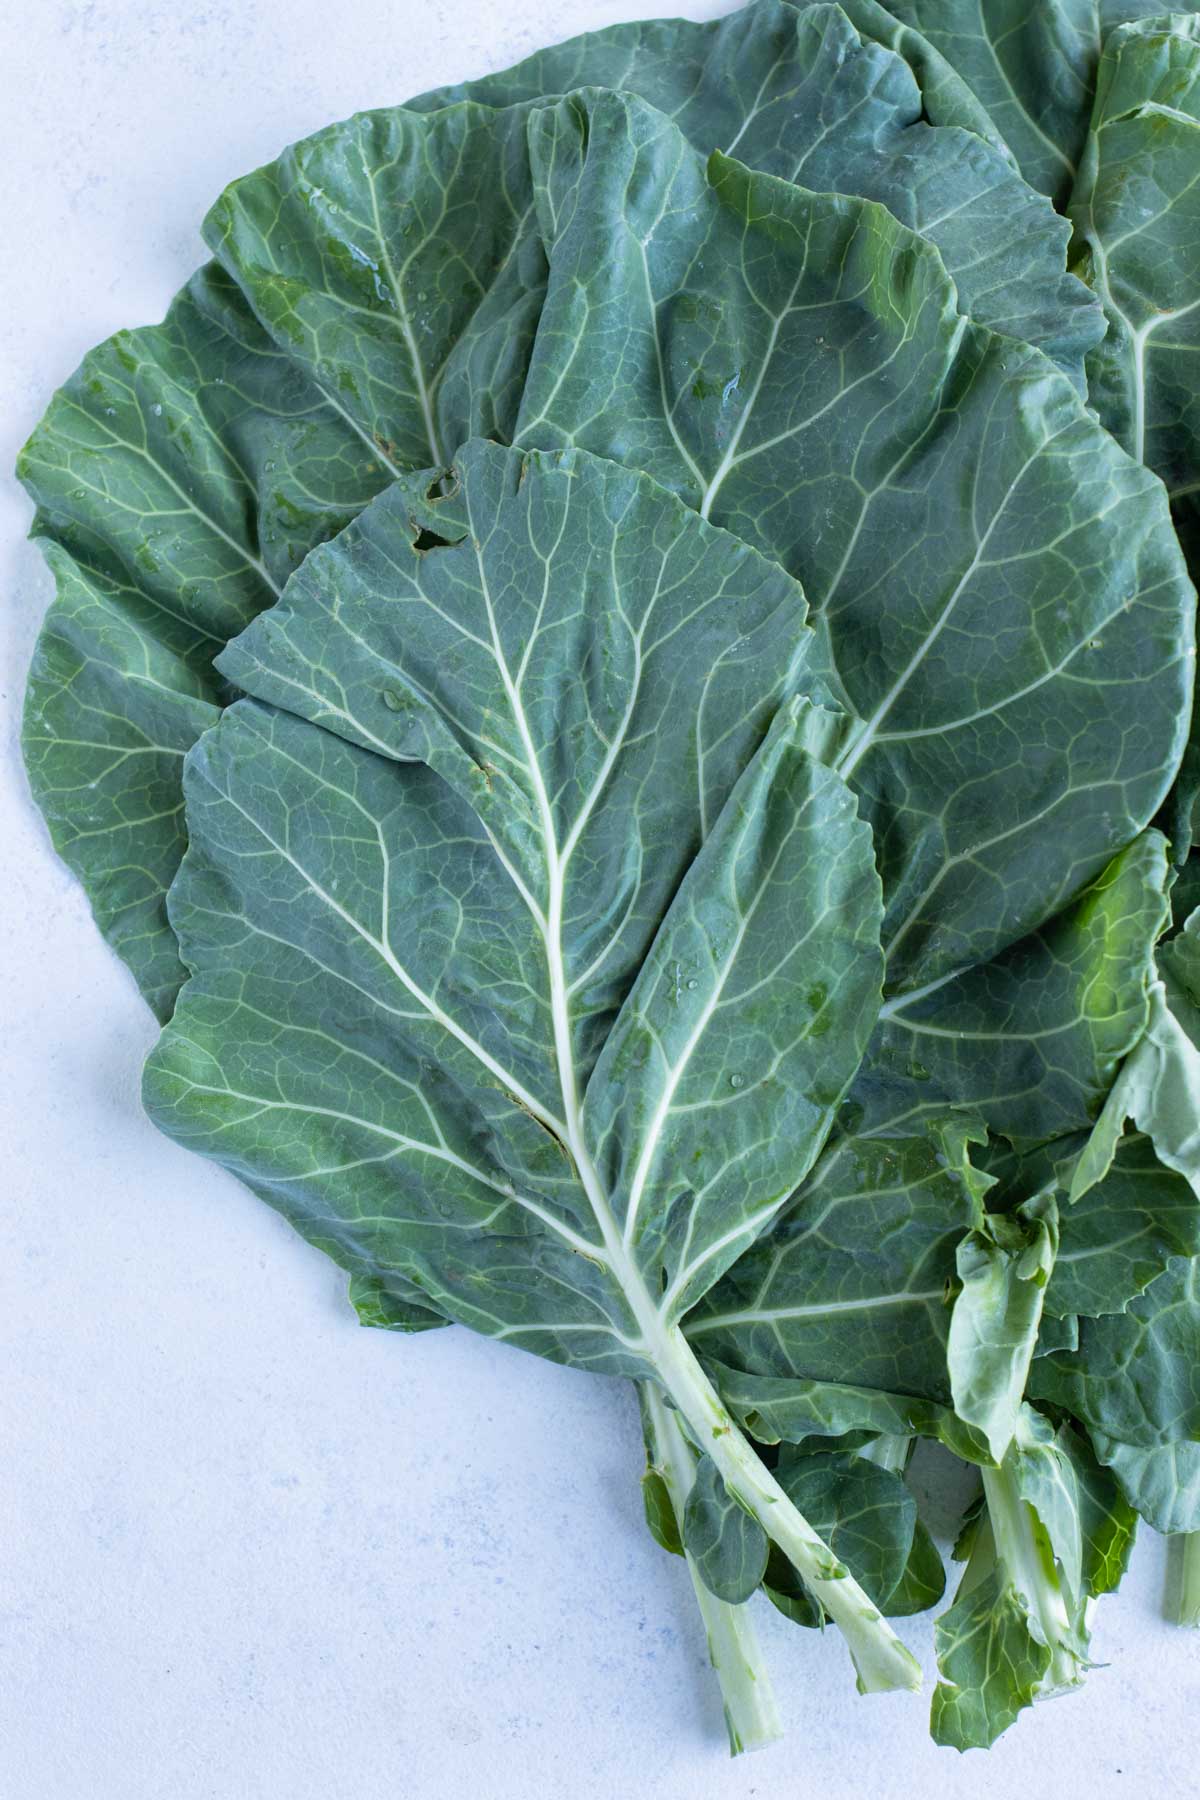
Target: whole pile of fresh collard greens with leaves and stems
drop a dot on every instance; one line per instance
(622, 679)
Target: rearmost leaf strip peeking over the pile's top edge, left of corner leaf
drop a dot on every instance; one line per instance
(812, 98)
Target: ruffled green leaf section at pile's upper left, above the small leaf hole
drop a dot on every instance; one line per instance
(393, 260)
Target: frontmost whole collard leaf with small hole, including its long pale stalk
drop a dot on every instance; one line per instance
(553, 1020)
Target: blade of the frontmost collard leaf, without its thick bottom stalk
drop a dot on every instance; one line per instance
(508, 852)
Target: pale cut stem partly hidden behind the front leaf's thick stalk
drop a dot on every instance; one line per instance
(751, 1711)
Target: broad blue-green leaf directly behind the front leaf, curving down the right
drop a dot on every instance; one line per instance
(780, 359)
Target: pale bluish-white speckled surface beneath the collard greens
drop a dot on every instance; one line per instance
(249, 1551)
